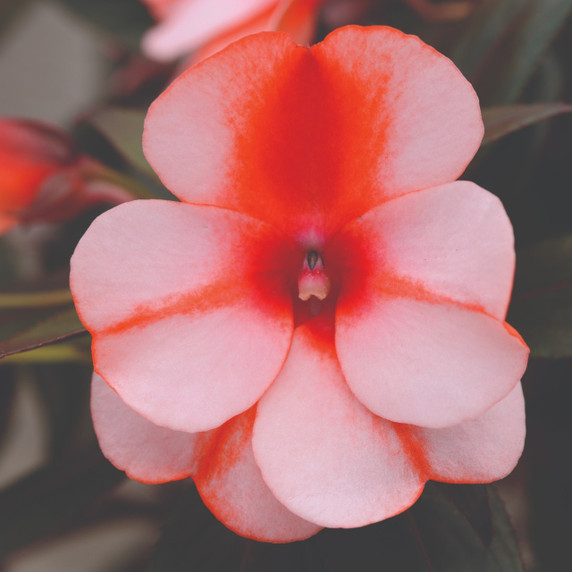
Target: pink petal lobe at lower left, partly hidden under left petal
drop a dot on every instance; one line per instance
(143, 450)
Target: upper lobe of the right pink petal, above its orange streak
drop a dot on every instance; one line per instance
(454, 241)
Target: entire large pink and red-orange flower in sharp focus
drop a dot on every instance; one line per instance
(317, 329)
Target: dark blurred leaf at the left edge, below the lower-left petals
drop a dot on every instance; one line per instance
(52, 498)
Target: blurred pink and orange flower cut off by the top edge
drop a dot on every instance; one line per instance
(210, 25)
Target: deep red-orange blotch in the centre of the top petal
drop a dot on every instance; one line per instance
(291, 150)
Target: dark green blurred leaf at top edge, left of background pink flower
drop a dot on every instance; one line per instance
(125, 19)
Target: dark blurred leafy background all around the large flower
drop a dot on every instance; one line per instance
(78, 65)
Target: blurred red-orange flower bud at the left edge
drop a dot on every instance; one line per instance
(42, 178)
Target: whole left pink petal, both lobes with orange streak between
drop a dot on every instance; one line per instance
(190, 317)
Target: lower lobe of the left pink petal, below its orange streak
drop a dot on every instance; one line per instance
(194, 372)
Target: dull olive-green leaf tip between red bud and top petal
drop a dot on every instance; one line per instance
(123, 128)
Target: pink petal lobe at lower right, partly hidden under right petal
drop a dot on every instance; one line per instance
(483, 449)
